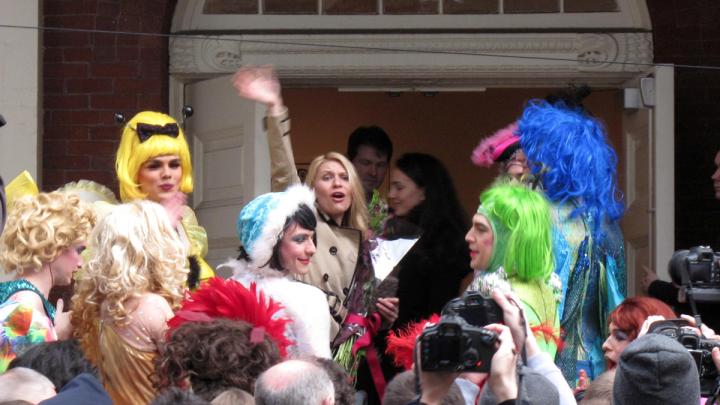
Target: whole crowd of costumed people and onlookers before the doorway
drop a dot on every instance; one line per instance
(334, 287)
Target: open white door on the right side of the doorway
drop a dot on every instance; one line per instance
(649, 173)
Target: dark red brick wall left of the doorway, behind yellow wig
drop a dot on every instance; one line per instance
(87, 77)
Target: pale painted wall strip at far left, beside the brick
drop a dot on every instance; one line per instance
(20, 87)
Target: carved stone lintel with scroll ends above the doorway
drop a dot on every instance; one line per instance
(443, 59)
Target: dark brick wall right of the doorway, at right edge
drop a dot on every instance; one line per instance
(687, 32)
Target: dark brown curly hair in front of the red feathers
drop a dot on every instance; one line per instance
(215, 356)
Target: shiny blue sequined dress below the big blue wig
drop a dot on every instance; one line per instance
(593, 274)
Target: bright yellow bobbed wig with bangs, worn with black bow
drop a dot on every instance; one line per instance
(132, 153)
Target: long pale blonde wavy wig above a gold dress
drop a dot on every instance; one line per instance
(134, 250)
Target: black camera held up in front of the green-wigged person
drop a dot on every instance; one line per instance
(454, 345)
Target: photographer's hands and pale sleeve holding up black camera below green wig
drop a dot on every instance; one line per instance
(470, 317)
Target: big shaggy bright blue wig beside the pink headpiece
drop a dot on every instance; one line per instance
(569, 153)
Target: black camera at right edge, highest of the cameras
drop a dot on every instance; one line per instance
(698, 269)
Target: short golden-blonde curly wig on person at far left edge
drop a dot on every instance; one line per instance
(40, 227)
